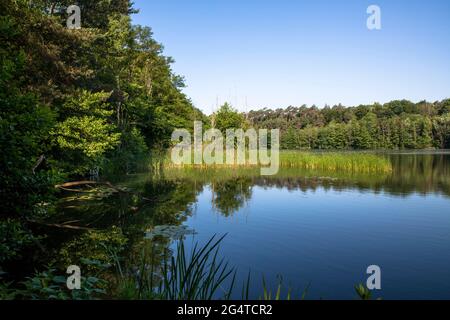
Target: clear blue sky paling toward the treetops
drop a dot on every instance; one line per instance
(276, 53)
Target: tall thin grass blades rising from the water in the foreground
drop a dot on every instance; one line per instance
(195, 275)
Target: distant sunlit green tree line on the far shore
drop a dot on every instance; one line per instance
(394, 125)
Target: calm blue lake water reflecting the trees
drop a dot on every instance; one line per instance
(317, 230)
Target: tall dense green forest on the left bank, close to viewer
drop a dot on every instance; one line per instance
(76, 103)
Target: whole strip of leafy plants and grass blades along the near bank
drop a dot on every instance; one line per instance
(197, 274)
